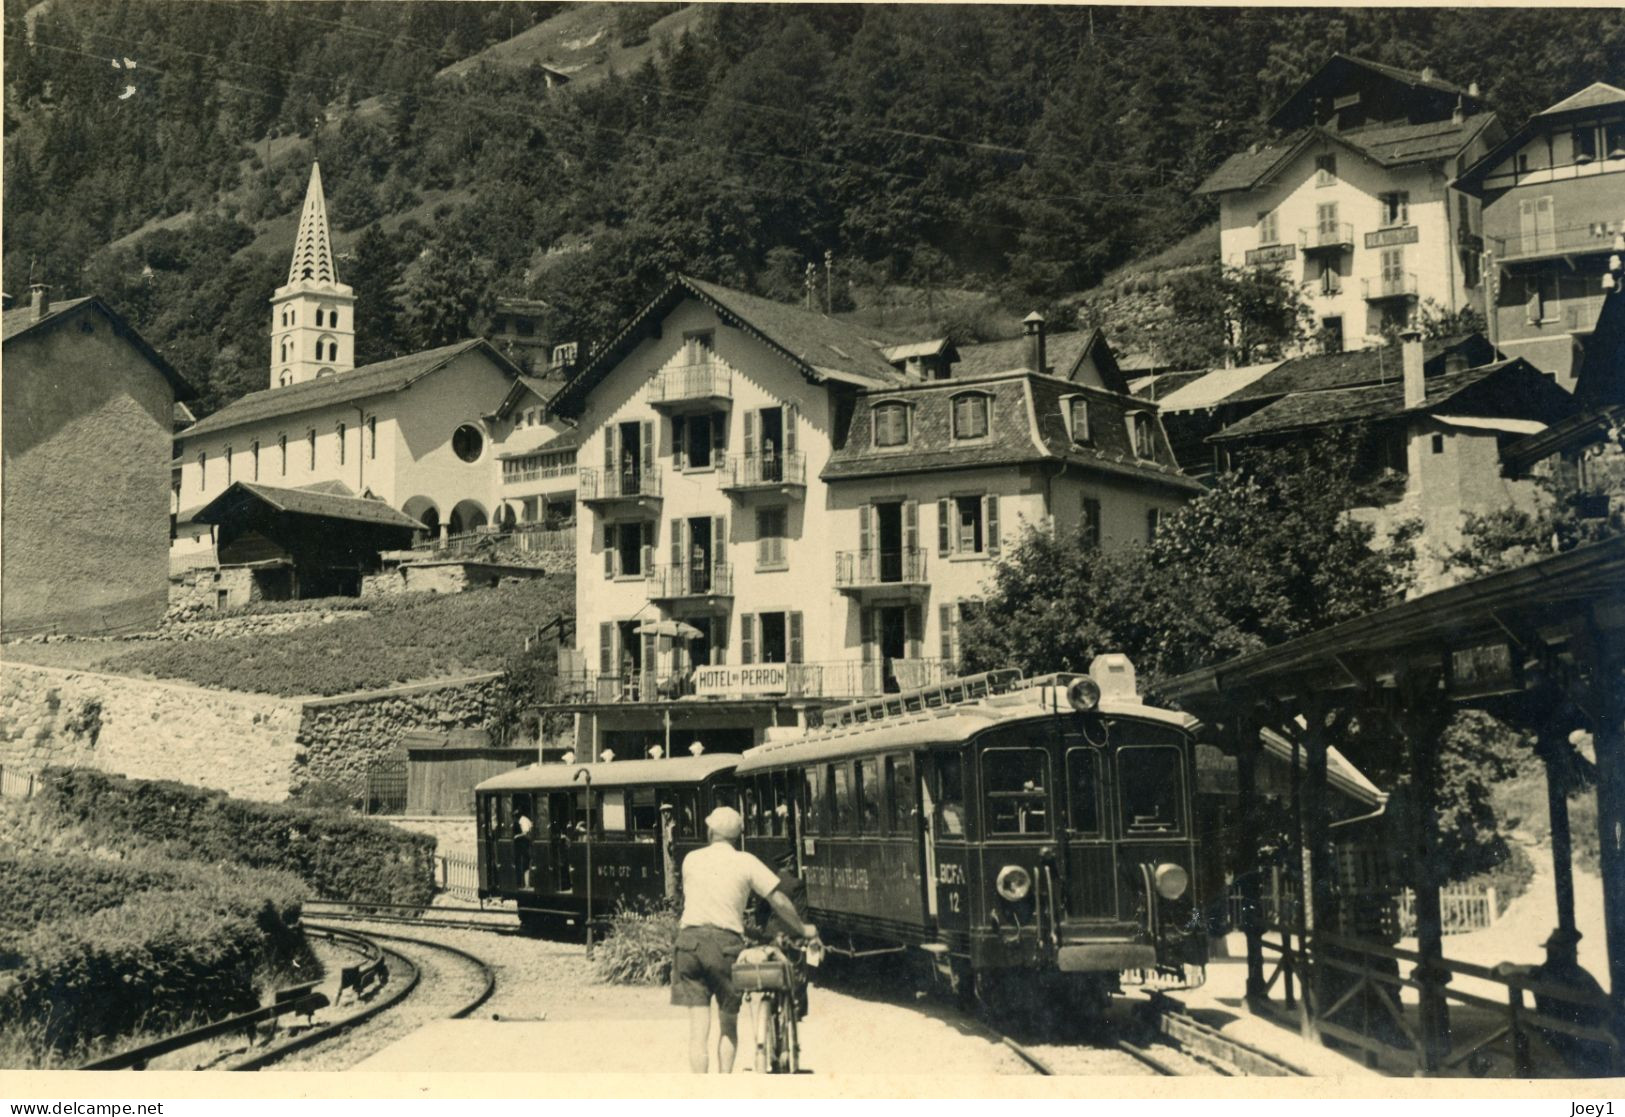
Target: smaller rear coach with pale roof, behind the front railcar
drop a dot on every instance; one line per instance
(643, 817)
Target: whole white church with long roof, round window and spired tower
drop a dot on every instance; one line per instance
(418, 433)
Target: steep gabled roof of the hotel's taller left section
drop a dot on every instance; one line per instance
(823, 347)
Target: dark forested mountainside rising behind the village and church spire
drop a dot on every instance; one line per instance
(1016, 150)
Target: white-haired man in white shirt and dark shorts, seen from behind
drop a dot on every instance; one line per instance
(717, 884)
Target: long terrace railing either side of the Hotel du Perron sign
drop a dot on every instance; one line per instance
(836, 679)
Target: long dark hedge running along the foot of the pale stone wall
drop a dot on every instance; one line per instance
(337, 856)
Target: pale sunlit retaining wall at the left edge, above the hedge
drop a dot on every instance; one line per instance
(241, 744)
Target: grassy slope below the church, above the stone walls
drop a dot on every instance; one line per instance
(405, 641)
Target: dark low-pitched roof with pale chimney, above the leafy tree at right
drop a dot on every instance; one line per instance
(1376, 402)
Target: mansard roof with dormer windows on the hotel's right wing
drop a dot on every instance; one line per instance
(1026, 425)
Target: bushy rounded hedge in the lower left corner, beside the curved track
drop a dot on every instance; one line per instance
(188, 942)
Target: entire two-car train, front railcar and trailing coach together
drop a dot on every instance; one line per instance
(994, 825)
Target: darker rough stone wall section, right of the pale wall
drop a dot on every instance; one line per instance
(342, 737)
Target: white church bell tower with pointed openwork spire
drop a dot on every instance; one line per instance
(314, 315)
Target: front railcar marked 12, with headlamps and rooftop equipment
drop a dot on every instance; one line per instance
(1013, 830)
